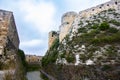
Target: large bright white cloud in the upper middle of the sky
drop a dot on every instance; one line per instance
(39, 14)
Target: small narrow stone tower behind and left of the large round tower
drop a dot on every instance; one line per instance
(52, 36)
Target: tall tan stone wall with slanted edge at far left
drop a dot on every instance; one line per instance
(9, 41)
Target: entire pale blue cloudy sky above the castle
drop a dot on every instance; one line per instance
(36, 18)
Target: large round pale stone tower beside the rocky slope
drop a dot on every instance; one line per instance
(66, 22)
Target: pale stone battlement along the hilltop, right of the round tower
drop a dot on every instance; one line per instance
(113, 4)
